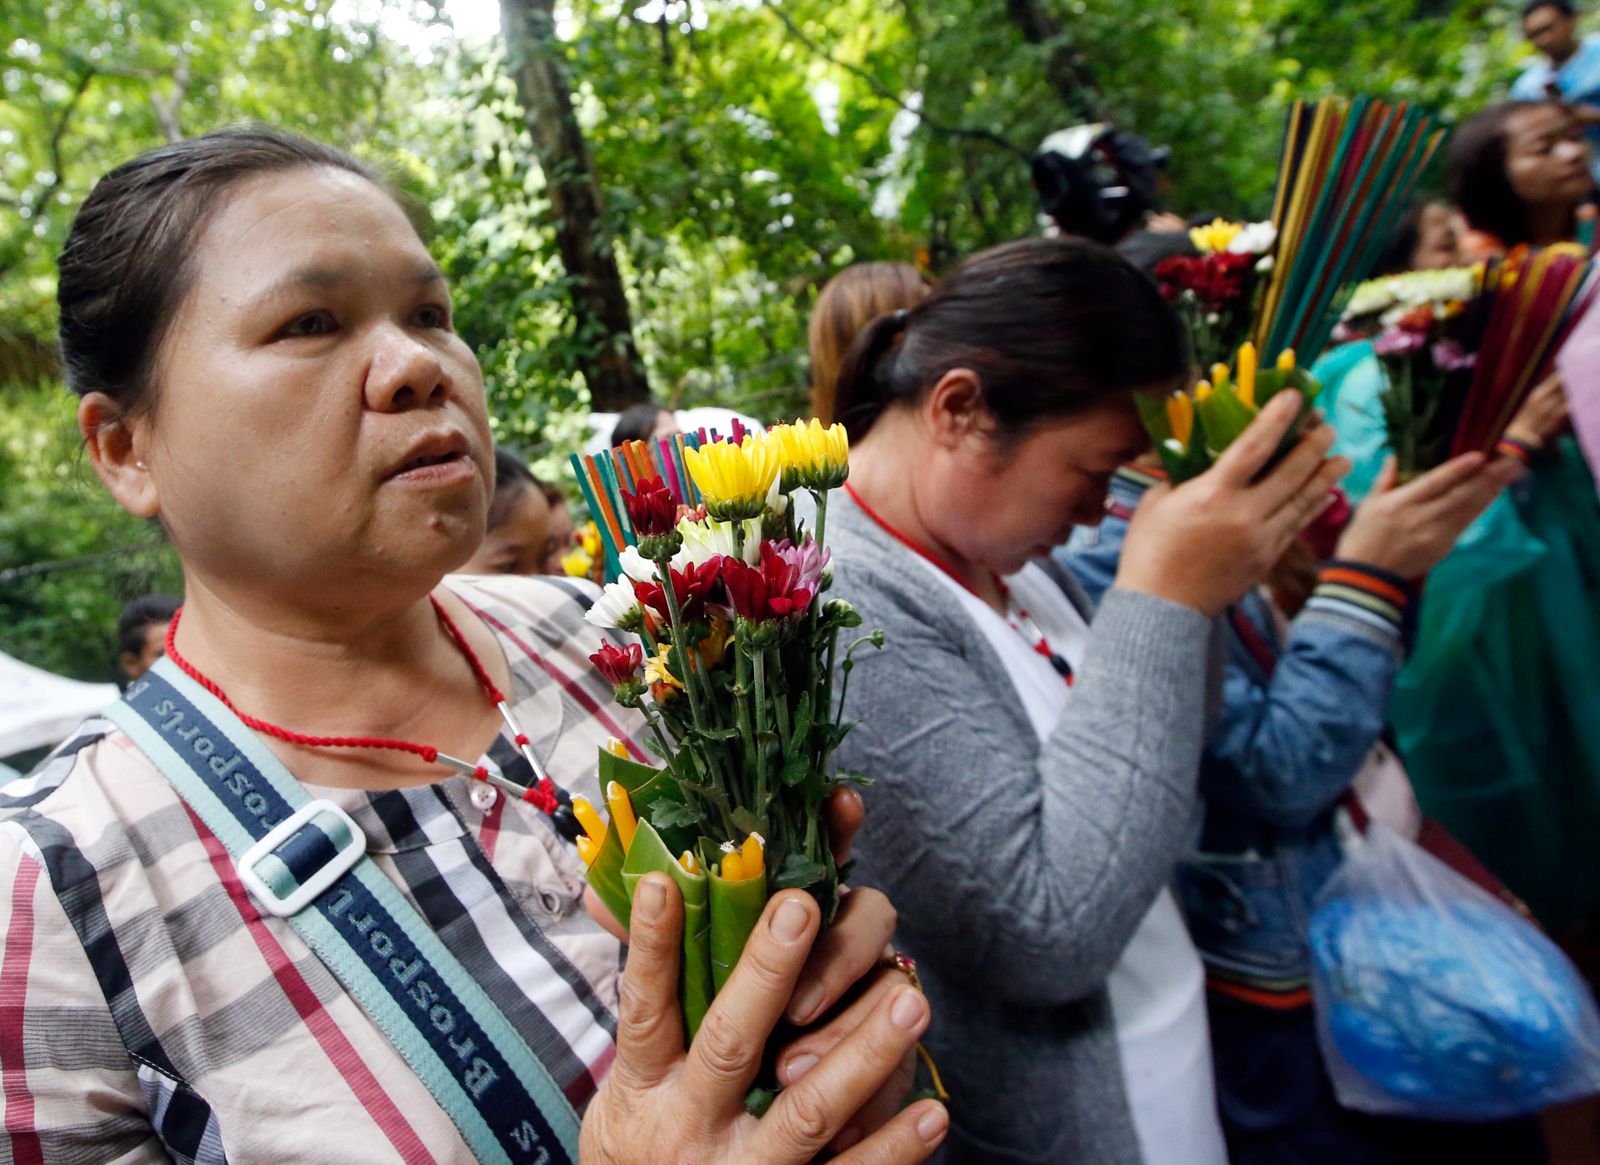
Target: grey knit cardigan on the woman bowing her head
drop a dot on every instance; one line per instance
(1020, 871)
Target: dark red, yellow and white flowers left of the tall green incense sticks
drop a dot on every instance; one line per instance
(1215, 289)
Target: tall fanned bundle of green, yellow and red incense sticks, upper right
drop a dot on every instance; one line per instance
(1345, 182)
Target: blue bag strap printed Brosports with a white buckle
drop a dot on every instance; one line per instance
(306, 862)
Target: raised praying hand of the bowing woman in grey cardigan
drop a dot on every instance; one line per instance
(1209, 542)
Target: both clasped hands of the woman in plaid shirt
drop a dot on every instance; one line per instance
(846, 1081)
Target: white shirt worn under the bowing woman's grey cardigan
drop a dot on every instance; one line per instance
(1158, 988)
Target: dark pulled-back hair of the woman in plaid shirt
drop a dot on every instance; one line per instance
(127, 263)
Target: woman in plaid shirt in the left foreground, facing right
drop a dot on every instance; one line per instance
(266, 366)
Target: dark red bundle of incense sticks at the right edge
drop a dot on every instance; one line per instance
(1530, 306)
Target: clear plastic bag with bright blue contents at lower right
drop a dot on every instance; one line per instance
(1438, 1001)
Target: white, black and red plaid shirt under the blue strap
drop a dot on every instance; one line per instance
(150, 1012)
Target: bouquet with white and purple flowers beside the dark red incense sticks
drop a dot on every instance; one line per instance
(1418, 326)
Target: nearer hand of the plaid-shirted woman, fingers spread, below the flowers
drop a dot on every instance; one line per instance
(665, 1105)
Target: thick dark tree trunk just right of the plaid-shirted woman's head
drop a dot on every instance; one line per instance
(615, 374)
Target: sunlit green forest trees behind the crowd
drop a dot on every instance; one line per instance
(636, 199)
